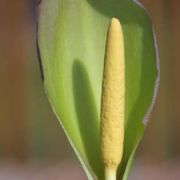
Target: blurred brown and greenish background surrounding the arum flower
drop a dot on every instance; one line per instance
(32, 144)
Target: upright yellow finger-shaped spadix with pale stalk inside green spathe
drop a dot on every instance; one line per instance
(112, 102)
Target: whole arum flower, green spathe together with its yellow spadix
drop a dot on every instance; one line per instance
(100, 81)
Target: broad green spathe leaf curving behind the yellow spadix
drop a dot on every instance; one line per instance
(71, 38)
